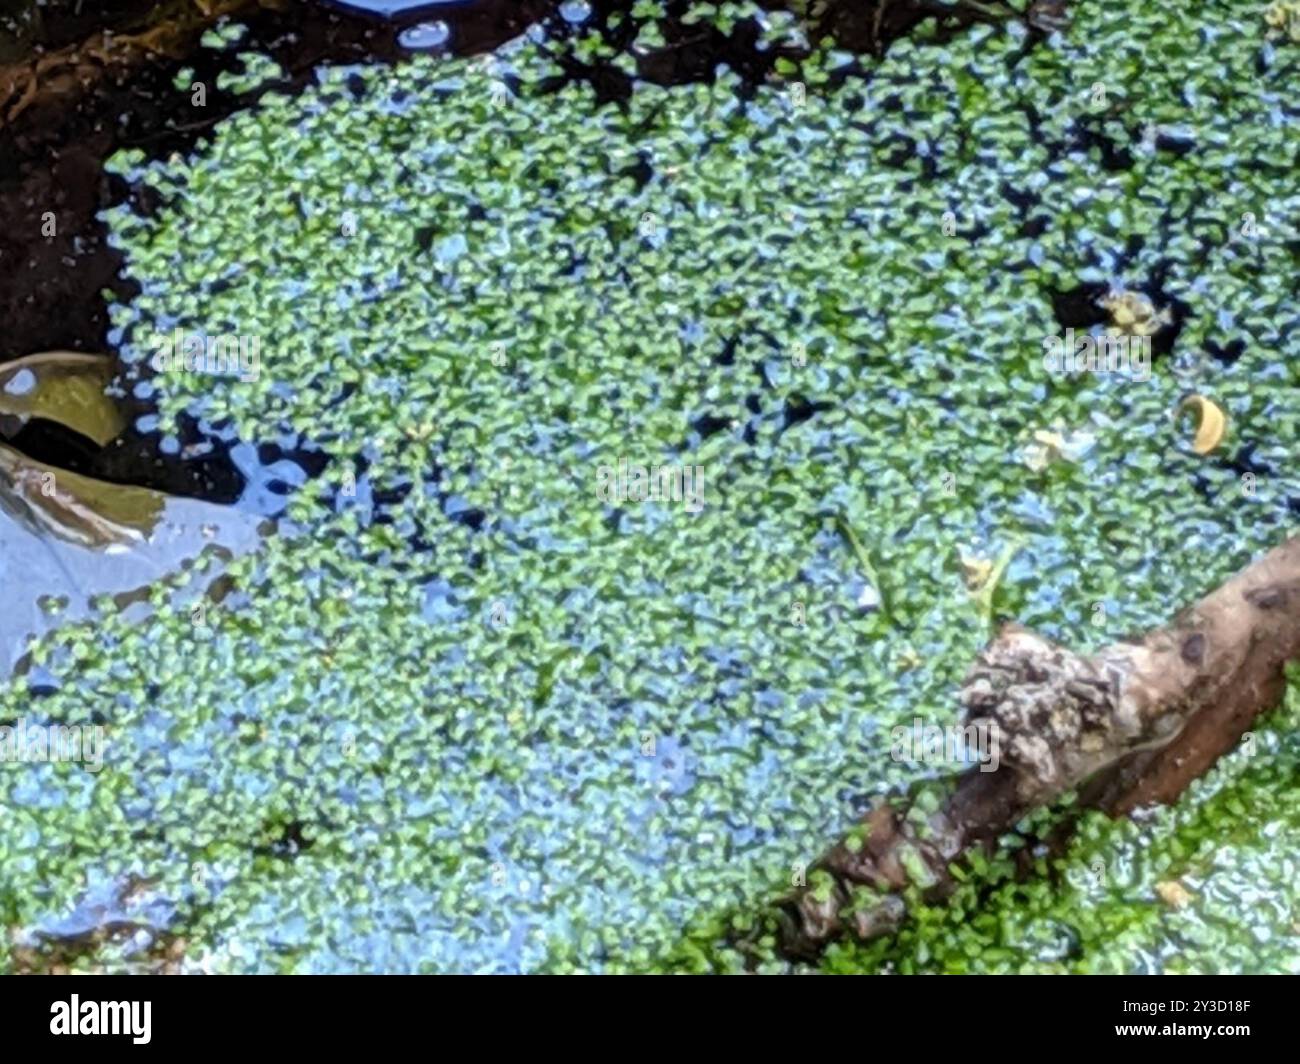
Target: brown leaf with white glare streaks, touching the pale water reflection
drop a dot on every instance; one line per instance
(76, 509)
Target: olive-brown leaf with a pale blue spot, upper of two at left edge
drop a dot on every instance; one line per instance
(64, 387)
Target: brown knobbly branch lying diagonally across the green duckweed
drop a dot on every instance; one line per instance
(1130, 726)
